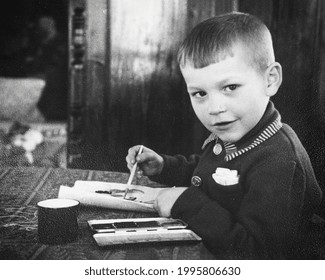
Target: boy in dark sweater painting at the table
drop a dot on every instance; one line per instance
(252, 192)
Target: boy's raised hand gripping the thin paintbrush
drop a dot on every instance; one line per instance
(149, 162)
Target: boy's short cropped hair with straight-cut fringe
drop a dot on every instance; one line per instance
(211, 41)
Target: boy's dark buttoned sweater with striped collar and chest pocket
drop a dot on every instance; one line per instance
(267, 214)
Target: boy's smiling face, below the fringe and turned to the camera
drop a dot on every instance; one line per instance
(230, 96)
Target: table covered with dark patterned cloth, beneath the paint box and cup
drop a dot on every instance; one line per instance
(20, 190)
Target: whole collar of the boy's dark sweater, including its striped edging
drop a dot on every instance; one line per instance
(269, 125)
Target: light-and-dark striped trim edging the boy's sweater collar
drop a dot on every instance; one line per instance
(231, 149)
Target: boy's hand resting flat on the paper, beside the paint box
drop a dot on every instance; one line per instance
(166, 199)
